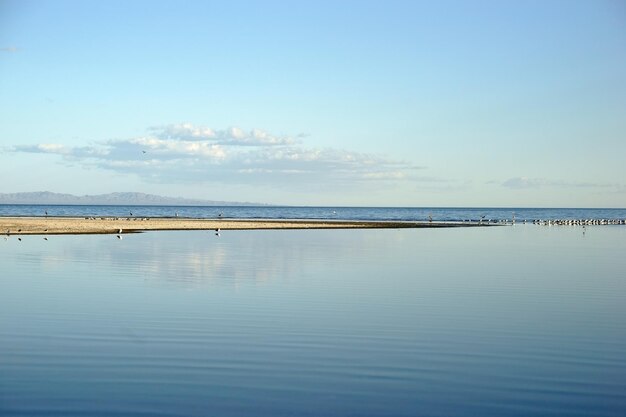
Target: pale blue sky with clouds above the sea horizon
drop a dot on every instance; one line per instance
(352, 103)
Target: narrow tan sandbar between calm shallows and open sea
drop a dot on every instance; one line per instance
(100, 225)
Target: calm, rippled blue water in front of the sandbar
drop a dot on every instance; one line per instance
(500, 321)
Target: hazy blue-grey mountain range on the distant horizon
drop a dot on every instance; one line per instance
(112, 199)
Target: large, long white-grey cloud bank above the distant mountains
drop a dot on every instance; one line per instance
(192, 154)
